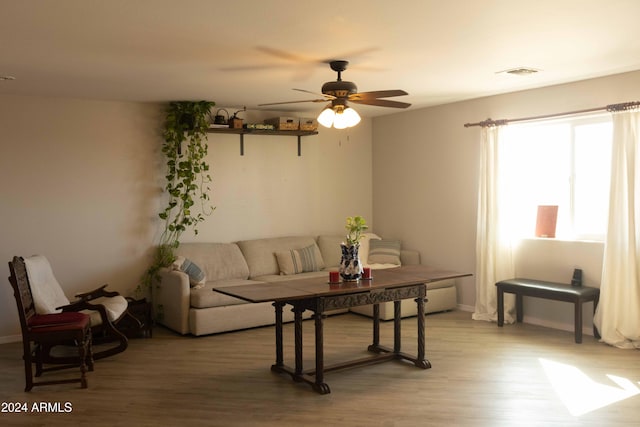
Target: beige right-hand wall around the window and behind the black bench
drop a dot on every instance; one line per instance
(425, 185)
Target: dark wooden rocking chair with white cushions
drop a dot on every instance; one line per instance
(105, 308)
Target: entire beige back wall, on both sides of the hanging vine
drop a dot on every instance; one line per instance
(81, 182)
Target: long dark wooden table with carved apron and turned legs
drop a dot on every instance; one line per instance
(317, 295)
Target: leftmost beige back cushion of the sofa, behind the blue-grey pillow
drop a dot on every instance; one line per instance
(217, 260)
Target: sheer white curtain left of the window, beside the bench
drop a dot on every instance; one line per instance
(494, 257)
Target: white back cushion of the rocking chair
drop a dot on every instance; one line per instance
(45, 289)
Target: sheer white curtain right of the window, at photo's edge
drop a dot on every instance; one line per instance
(618, 314)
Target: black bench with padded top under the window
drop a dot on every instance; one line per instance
(548, 290)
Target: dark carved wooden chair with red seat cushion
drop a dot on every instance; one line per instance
(48, 330)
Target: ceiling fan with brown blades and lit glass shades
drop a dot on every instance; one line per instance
(339, 93)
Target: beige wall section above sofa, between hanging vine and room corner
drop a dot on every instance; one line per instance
(270, 191)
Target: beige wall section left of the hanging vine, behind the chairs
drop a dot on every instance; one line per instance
(79, 185)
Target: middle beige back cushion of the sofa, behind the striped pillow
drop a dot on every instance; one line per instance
(260, 254)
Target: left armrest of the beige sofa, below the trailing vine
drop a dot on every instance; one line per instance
(171, 295)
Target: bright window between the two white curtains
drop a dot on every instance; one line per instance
(561, 162)
